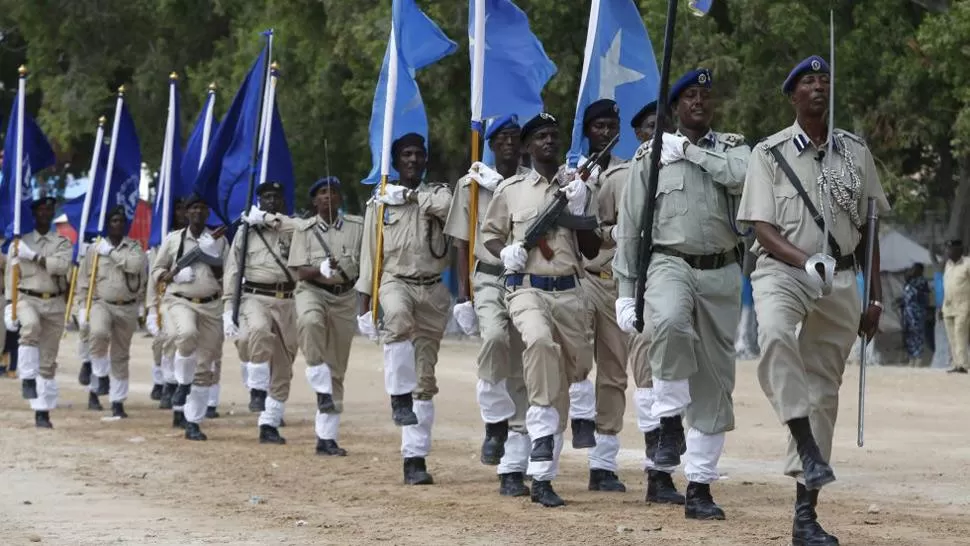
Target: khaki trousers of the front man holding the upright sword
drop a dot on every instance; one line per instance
(801, 374)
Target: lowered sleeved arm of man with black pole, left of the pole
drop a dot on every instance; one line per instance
(628, 227)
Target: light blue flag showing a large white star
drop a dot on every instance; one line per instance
(620, 65)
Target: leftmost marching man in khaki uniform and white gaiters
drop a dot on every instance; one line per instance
(44, 258)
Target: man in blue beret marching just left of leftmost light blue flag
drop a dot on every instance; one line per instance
(325, 257)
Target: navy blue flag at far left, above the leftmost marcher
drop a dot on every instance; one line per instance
(37, 155)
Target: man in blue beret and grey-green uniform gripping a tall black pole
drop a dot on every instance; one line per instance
(693, 286)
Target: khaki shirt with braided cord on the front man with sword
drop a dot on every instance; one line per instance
(770, 197)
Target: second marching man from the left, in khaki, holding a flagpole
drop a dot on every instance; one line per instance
(113, 315)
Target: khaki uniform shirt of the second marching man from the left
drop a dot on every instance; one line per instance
(120, 276)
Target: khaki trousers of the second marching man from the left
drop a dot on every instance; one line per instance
(111, 328)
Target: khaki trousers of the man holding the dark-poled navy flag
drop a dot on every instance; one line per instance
(268, 333)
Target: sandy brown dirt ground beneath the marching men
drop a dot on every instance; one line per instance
(137, 481)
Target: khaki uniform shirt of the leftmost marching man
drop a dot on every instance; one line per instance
(56, 250)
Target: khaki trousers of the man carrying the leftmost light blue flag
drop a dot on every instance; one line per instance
(416, 313)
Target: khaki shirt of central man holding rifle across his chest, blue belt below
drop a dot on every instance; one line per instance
(517, 203)
